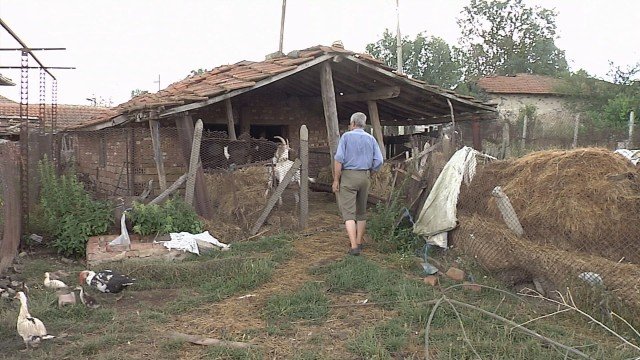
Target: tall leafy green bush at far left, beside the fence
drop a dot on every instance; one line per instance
(69, 214)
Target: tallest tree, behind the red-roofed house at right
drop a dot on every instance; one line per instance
(508, 37)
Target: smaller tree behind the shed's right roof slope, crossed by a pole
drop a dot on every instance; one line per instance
(428, 59)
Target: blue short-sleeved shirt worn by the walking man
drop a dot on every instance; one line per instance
(358, 150)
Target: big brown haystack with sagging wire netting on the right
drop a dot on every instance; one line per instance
(579, 211)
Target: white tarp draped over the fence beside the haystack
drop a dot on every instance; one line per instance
(438, 214)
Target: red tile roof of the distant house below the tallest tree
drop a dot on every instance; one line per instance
(520, 84)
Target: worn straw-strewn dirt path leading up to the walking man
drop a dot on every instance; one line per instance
(239, 318)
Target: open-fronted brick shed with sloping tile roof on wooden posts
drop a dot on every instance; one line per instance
(319, 87)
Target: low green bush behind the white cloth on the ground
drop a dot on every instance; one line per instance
(171, 217)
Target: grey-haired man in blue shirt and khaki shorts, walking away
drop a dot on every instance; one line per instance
(357, 155)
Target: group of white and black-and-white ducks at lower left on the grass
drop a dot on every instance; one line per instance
(33, 331)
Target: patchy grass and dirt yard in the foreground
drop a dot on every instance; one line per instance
(297, 297)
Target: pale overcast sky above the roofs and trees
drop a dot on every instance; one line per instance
(117, 46)
